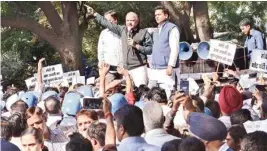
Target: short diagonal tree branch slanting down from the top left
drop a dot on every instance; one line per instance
(51, 15)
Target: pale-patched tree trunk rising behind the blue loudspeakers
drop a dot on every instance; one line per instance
(202, 21)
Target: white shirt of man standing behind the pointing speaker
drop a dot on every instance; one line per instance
(110, 48)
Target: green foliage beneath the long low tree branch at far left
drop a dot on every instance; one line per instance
(20, 51)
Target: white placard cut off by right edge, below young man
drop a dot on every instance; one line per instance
(258, 60)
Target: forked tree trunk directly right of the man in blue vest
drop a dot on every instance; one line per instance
(180, 15)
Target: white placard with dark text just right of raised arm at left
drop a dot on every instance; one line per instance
(52, 74)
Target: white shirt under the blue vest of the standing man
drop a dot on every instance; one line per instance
(174, 39)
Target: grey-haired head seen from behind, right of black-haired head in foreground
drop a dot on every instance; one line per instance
(153, 116)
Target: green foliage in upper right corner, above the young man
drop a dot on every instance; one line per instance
(226, 15)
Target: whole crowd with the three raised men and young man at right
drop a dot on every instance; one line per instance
(141, 108)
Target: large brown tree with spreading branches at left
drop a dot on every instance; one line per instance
(65, 34)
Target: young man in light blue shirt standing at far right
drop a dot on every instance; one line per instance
(255, 39)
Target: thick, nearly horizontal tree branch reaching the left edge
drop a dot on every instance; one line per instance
(32, 25)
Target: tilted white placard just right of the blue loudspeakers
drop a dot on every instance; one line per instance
(222, 52)
